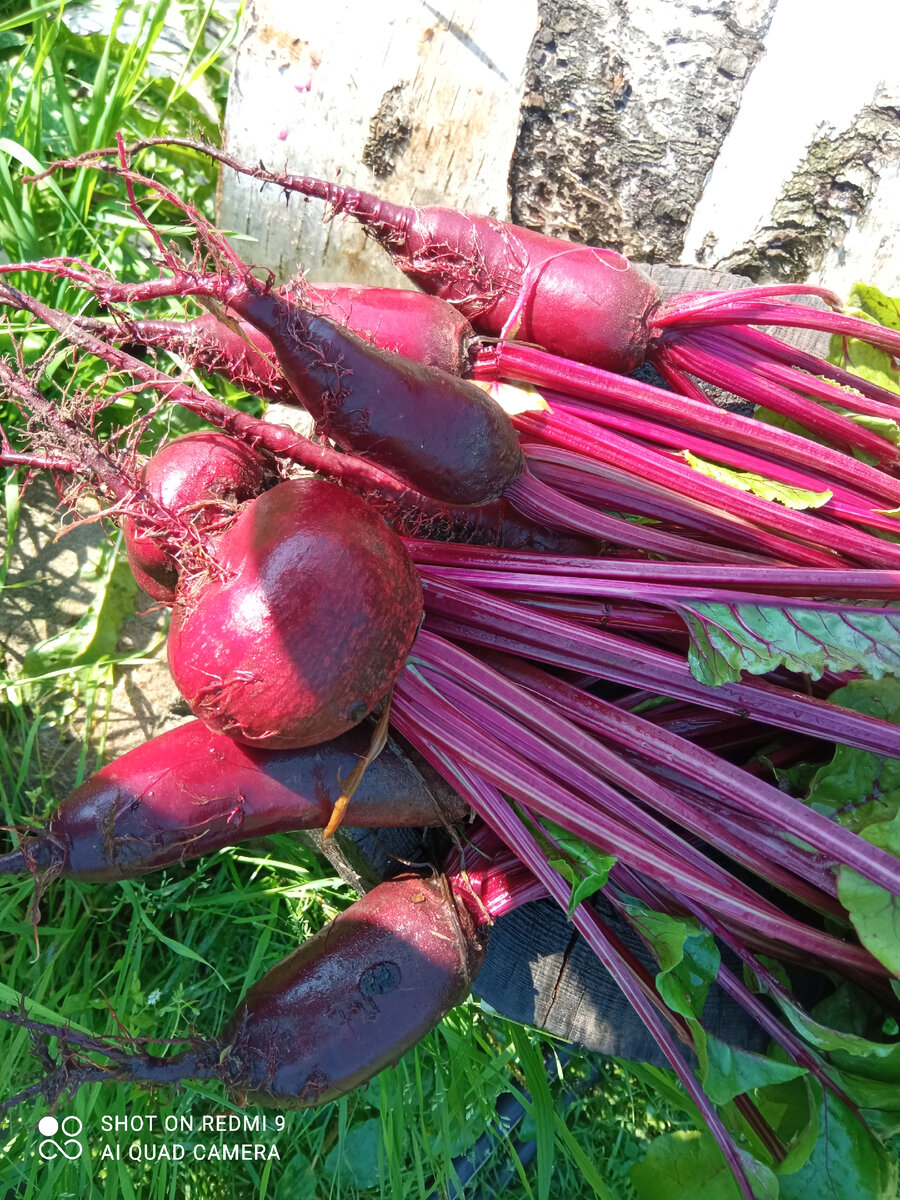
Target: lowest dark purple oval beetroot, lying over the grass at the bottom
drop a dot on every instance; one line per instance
(353, 999)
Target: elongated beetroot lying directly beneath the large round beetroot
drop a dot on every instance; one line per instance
(190, 793)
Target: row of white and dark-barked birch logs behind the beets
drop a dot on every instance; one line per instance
(757, 136)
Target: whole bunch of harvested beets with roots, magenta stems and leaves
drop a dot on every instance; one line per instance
(299, 611)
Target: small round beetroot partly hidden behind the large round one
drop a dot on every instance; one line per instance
(200, 476)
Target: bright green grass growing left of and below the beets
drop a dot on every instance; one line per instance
(172, 955)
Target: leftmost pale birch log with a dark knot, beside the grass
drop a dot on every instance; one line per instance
(415, 104)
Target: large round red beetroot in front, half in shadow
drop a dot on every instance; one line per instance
(305, 626)
